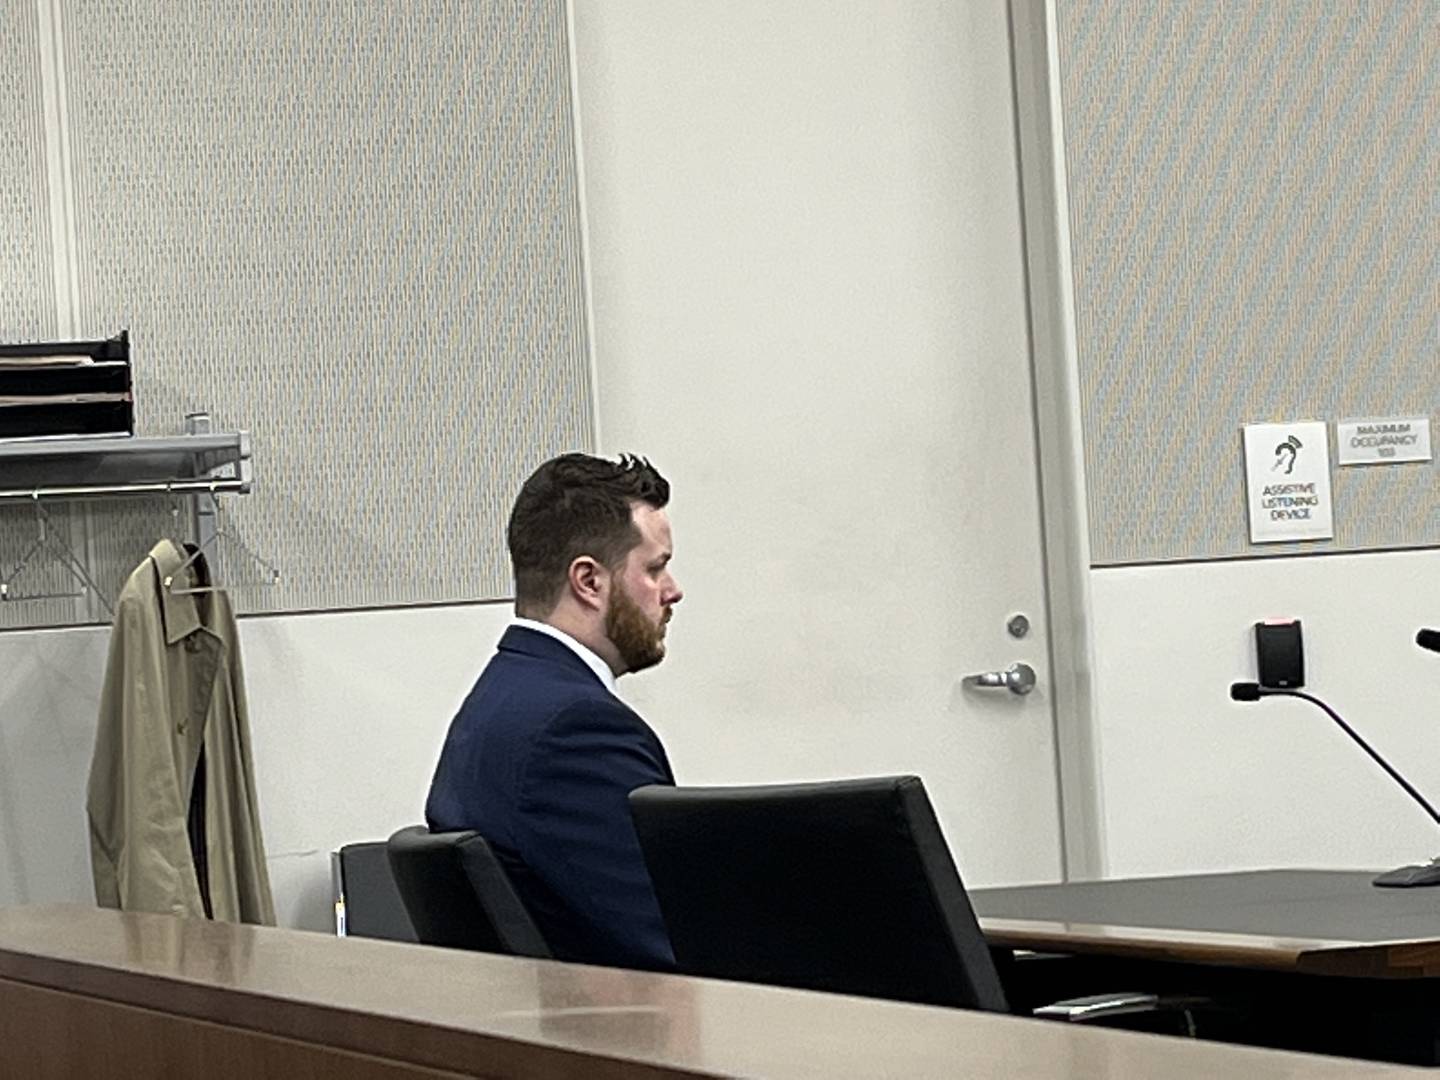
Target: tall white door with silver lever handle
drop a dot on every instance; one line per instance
(810, 312)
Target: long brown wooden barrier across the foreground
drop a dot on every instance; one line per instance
(102, 994)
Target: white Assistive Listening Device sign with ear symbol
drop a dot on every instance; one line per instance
(1288, 482)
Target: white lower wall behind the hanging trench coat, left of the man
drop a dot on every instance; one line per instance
(348, 714)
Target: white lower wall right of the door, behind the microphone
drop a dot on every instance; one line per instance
(1194, 781)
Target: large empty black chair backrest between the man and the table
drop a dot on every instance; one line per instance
(846, 886)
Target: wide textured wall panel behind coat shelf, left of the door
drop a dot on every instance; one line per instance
(354, 230)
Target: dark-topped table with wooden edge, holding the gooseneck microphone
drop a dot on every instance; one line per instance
(1311, 958)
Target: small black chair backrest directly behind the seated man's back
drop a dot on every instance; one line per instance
(459, 894)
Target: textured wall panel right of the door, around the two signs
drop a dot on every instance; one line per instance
(1254, 194)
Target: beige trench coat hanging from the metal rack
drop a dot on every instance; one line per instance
(172, 686)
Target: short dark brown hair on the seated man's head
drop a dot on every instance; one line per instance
(572, 506)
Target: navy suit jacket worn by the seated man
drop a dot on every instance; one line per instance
(542, 760)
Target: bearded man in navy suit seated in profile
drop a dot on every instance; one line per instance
(542, 757)
